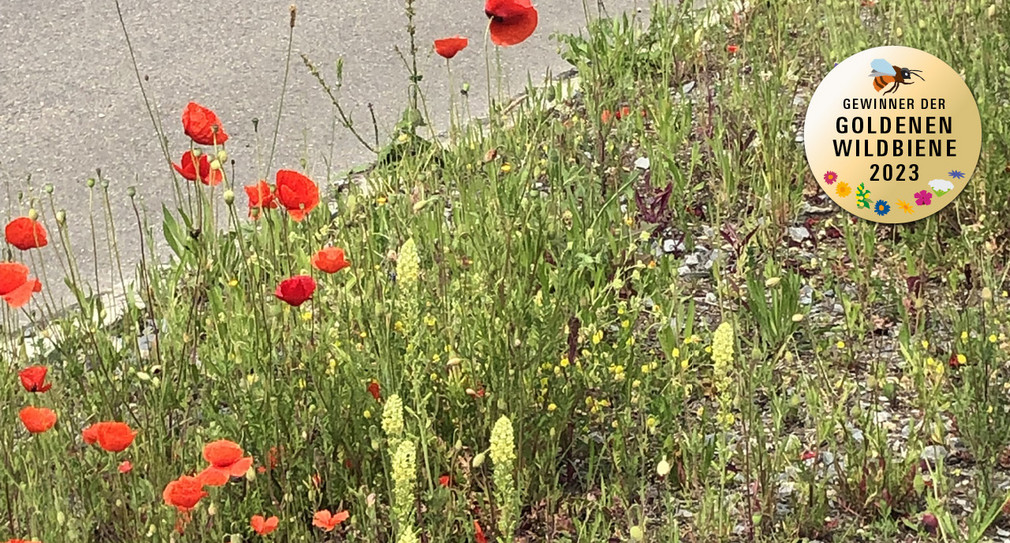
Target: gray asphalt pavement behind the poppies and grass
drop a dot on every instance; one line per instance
(70, 101)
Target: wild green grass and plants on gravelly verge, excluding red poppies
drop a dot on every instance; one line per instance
(543, 294)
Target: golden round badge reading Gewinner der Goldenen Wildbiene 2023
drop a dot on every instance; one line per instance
(893, 135)
